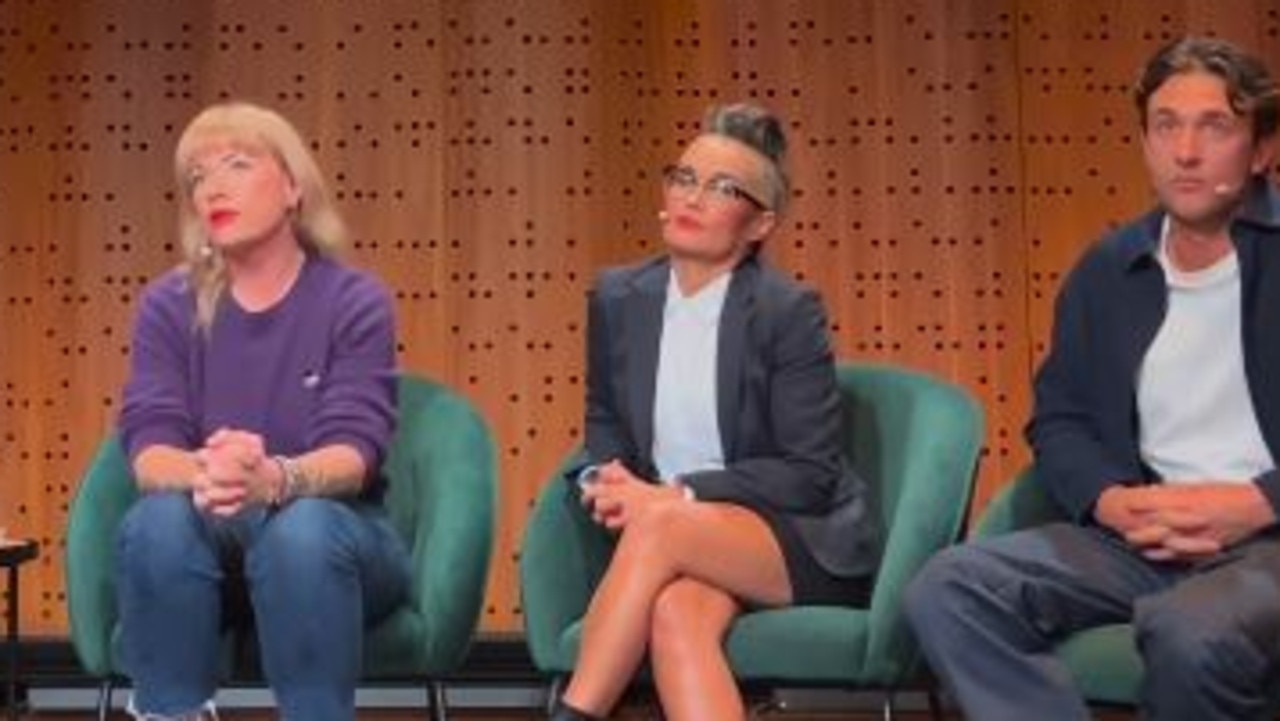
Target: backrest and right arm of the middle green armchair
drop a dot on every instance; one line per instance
(917, 441)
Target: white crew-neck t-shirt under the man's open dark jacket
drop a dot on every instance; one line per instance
(1196, 417)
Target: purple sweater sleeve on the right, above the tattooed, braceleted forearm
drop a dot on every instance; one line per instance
(358, 407)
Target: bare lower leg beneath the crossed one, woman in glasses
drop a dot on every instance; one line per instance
(694, 679)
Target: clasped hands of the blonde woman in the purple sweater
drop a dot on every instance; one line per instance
(235, 471)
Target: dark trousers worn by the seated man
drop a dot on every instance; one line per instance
(989, 615)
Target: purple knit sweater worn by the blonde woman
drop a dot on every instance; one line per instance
(316, 369)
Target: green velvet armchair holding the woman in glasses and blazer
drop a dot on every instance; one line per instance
(916, 440)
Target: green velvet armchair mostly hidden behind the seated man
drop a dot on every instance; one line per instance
(1104, 661)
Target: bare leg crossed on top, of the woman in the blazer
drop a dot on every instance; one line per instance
(706, 542)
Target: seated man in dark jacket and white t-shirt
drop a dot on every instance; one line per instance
(1156, 430)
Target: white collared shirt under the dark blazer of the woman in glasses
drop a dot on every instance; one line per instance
(687, 427)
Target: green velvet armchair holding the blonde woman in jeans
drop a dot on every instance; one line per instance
(442, 499)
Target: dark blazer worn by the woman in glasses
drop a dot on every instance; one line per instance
(780, 410)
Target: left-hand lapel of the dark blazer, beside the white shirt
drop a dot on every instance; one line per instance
(643, 337)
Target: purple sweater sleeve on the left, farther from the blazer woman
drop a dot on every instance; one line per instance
(158, 400)
